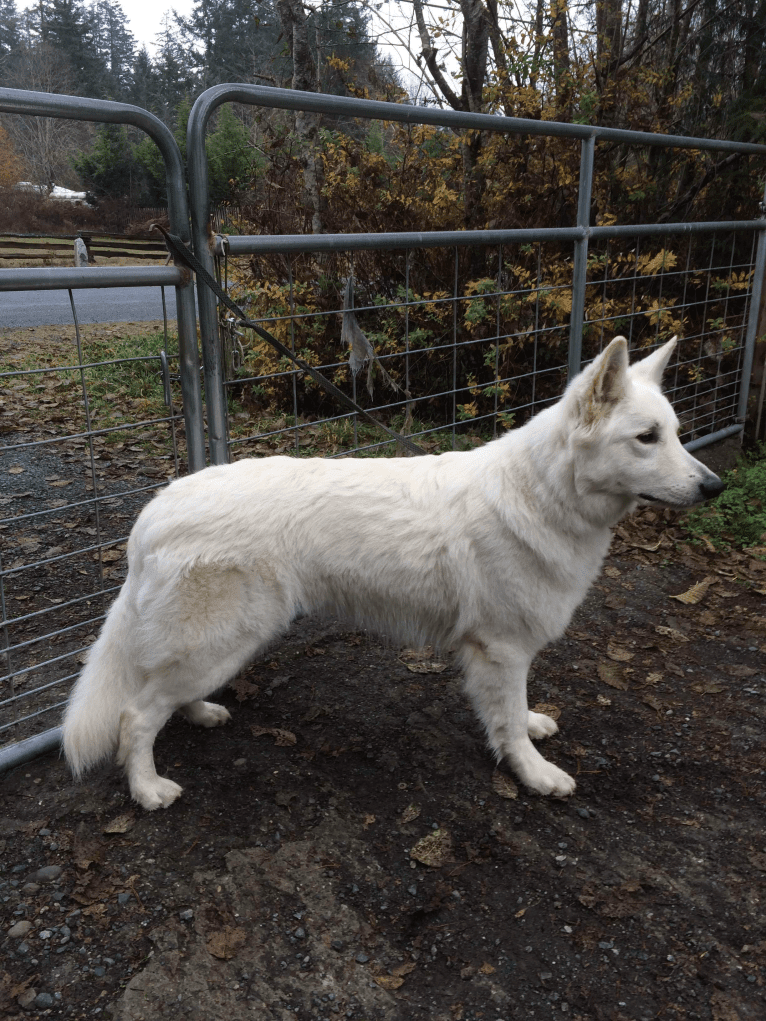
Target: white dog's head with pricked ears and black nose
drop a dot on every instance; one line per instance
(625, 434)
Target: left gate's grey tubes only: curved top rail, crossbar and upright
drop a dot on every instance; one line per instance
(79, 109)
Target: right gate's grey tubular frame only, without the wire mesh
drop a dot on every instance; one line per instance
(580, 234)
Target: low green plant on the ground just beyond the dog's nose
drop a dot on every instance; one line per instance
(738, 518)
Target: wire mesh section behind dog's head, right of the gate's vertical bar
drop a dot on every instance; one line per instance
(698, 287)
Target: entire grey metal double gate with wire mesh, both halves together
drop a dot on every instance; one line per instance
(470, 358)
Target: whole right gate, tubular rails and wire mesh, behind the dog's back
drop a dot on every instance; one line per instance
(465, 383)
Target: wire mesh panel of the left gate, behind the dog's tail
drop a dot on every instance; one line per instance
(91, 428)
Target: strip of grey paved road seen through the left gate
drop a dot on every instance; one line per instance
(109, 305)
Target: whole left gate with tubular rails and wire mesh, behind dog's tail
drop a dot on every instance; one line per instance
(75, 472)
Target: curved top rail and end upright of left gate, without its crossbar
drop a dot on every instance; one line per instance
(44, 105)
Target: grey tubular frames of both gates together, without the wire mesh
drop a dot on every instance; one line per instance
(75, 108)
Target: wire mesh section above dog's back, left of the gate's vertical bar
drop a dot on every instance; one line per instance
(449, 356)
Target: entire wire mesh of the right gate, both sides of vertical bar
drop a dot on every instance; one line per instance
(466, 343)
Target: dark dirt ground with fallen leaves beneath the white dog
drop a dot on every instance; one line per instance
(346, 848)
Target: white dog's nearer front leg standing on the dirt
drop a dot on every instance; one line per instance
(497, 684)
